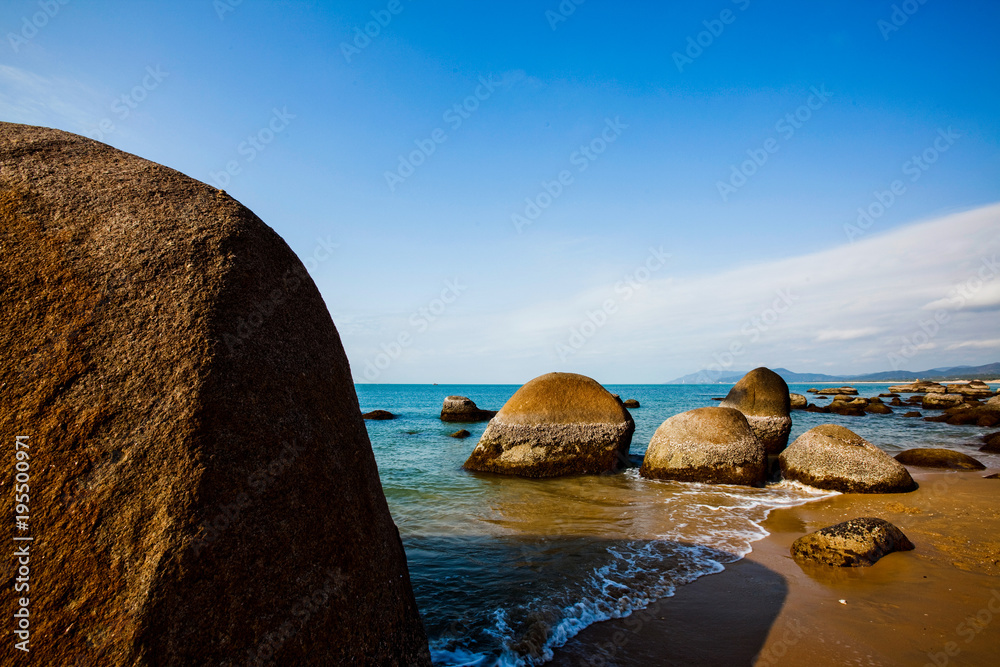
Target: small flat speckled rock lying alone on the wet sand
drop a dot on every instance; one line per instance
(854, 543)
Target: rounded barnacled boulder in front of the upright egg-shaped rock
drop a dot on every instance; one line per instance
(712, 445)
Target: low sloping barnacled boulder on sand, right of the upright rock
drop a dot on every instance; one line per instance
(835, 458)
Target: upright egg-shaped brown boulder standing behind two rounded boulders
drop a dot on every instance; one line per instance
(762, 396)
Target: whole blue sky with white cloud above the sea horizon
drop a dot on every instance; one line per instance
(745, 158)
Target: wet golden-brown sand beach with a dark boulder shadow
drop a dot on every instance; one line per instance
(938, 605)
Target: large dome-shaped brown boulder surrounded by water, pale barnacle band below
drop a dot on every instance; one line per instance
(557, 424)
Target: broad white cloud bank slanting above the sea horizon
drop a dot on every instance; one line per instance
(846, 309)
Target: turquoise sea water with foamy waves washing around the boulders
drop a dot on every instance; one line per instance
(506, 569)
